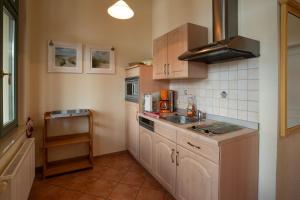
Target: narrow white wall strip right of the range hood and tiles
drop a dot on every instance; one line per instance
(260, 20)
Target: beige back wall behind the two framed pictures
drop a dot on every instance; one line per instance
(86, 22)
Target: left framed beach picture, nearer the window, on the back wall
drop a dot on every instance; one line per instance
(64, 57)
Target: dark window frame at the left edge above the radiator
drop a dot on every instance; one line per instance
(12, 8)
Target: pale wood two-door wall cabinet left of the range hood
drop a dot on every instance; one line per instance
(168, 47)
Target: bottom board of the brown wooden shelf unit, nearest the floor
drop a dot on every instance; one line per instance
(67, 165)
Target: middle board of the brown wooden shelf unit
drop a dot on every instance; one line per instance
(67, 140)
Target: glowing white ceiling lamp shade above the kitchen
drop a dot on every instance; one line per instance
(120, 10)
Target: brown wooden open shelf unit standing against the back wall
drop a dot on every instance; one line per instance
(71, 164)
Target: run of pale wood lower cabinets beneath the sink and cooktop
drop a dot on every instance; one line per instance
(195, 167)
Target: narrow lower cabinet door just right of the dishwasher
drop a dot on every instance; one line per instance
(164, 162)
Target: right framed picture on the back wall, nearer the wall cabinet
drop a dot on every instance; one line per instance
(99, 60)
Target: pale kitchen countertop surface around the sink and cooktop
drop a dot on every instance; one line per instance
(214, 139)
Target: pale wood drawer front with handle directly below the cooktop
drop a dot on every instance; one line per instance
(198, 146)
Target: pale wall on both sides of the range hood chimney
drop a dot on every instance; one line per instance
(258, 20)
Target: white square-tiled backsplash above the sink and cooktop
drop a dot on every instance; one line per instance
(239, 79)
